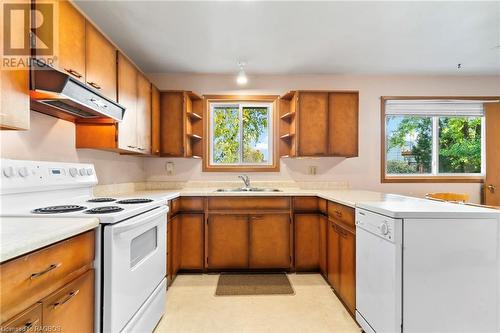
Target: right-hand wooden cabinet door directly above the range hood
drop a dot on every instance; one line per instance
(100, 62)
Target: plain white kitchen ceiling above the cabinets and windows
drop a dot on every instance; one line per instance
(304, 37)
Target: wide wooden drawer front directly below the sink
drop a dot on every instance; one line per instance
(249, 203)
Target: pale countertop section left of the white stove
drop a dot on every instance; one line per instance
(21, 235)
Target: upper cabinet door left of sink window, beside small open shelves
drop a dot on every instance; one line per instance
(172, 124)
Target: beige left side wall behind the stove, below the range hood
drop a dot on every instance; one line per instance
(51, 139)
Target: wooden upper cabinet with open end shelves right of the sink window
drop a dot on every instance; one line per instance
(319, 123)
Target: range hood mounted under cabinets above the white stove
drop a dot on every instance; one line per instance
(60, 95)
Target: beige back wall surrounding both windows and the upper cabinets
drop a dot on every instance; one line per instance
(362, 172)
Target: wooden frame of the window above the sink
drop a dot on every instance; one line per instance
(249, 100)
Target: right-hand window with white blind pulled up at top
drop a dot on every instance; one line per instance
(433, 140)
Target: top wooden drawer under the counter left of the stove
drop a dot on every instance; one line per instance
(26, 280)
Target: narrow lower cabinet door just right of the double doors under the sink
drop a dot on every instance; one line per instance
(306, 242)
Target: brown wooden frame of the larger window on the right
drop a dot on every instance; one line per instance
(431, 178)
